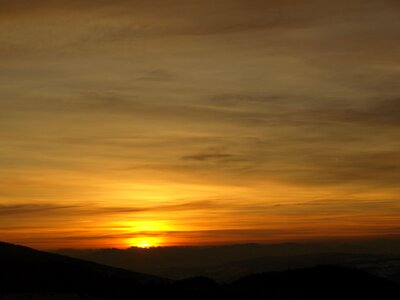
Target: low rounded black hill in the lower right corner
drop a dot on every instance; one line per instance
(321, 282)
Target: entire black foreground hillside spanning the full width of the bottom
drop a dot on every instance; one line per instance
(30, 274)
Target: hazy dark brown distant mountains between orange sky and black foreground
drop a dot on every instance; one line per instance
(228, 263)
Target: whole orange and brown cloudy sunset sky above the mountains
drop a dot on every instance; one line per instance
(185, 122)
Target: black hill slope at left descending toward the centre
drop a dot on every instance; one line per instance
(25, 270)
